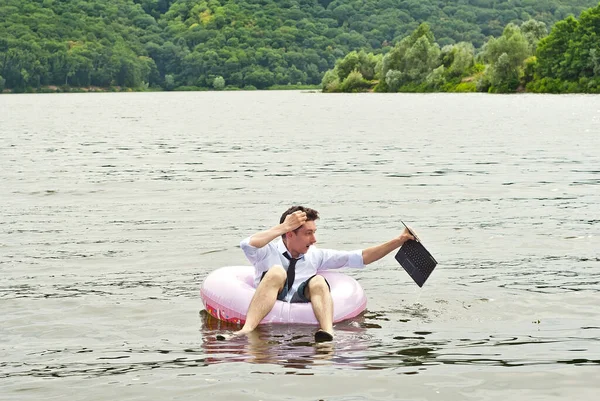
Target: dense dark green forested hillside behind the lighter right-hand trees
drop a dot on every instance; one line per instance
(206, 44)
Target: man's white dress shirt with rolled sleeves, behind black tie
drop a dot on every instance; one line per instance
(308, 264)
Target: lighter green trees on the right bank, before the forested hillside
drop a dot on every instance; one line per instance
(524, 58)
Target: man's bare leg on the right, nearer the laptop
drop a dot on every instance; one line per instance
(319, 295)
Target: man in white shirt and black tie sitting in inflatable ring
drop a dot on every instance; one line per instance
(288, 269)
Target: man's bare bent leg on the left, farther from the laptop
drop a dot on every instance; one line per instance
(263, 300)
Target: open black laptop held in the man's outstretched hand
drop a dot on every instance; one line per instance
(416, 259)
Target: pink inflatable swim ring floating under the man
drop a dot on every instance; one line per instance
(227, 291)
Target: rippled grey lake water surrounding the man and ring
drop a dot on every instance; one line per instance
(115, 207)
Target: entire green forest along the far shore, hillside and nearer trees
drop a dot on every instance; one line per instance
(343, 45)
